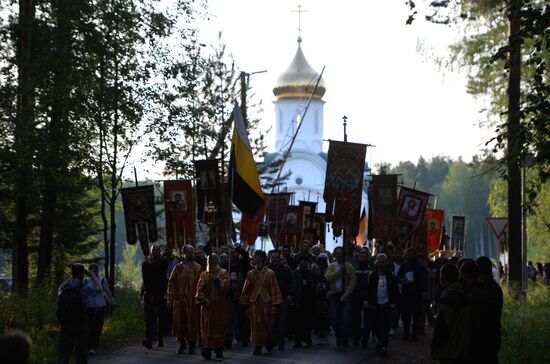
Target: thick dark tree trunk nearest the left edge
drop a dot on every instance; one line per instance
(22, 148)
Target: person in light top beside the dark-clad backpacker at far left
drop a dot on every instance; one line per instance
(96, 308)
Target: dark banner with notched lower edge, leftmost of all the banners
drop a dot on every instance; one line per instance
(140, 216)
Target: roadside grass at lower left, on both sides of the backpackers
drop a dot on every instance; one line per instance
(36, 315)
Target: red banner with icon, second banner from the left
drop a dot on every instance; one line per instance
(180, 222)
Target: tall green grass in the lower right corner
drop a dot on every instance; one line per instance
(526, 327)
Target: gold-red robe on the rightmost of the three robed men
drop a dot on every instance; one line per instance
(261, 292)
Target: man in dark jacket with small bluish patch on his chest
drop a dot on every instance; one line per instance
(413, 278)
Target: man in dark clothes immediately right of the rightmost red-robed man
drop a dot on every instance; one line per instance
(286, 284)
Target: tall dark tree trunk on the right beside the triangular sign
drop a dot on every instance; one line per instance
(514, 146)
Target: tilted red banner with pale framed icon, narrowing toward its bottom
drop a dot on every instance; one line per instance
(411, 207)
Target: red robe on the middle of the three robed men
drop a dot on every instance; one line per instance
(213, 315)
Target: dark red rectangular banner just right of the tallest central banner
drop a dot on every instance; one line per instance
(384, 200)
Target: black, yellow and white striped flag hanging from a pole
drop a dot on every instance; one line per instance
(244, 180)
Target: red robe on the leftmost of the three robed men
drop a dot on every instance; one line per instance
(182, 288)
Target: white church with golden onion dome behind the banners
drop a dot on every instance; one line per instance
(307, 162)
